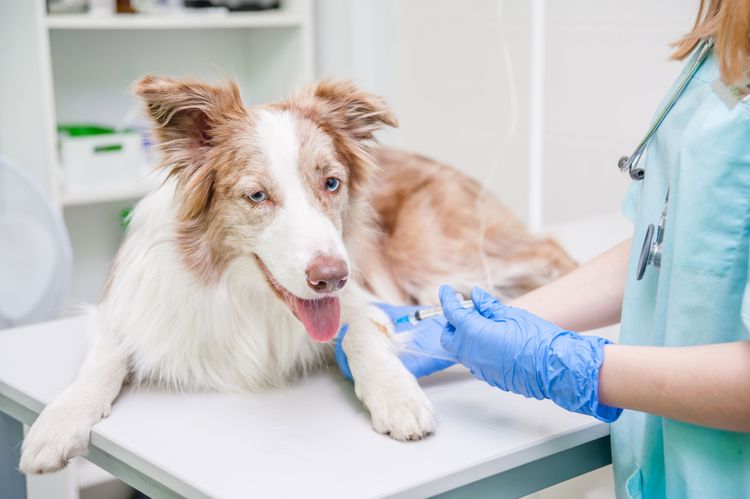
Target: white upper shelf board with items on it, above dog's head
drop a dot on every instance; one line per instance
(269, 19)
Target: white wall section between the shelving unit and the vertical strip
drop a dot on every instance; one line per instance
(440, 65)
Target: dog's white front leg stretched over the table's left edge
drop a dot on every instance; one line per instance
(61, 431)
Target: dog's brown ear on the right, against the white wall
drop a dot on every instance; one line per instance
(346, 108)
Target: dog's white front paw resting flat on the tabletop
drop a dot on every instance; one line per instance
(400, 410)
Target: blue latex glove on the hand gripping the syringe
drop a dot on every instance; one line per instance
(515, 350)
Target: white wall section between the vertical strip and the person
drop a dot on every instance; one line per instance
(607, 69)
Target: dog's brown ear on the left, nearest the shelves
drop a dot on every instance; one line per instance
(189, 117)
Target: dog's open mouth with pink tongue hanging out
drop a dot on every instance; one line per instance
(321, 317)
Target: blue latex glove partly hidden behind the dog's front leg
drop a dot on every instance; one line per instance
(425, 337)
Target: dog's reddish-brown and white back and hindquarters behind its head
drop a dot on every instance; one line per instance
(439, 226)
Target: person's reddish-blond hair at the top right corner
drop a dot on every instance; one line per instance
(728, 22)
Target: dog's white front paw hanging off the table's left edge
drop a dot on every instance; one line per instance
(57, 436)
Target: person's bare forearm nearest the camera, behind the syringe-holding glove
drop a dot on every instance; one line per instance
(705, 385)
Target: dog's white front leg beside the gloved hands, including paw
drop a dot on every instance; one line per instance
(397, 404)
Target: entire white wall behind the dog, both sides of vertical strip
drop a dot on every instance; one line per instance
(440, 64)
